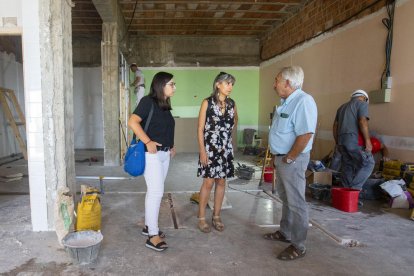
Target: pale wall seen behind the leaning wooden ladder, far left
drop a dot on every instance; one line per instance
(11, 77)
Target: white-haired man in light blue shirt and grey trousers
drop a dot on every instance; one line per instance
(290, 139)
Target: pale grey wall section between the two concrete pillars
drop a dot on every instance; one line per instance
(87, 102)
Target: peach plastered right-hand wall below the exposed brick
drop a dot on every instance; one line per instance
(352, 57)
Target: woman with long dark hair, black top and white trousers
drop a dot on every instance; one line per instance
(159, 142)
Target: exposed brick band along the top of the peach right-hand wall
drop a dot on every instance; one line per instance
(316, 17)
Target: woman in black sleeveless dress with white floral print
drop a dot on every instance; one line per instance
(216, 120)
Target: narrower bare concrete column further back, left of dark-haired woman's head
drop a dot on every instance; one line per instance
(110, 93)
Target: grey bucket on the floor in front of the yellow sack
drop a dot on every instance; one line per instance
(83, 247)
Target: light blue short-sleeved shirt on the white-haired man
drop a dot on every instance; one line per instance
(297, 115)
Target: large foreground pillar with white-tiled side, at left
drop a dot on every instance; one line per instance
(48, 82)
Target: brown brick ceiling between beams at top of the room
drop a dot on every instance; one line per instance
(189, 18)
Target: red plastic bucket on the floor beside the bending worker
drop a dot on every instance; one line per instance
(345, 199)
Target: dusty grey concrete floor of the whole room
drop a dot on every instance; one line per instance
(384, 236)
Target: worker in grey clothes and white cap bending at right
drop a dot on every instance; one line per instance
(352, 139)
